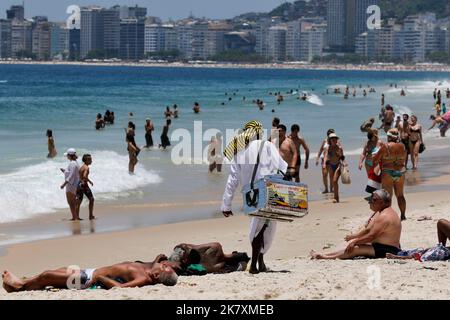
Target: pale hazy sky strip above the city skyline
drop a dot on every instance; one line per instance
(55, 9)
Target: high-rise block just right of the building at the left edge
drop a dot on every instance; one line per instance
(21, 38)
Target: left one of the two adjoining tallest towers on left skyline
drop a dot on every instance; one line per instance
(92, 34)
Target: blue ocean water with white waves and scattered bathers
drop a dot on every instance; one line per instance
(66, 99)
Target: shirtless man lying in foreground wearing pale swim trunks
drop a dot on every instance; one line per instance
(123, 275)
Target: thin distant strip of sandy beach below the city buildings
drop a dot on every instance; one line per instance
(221, 65)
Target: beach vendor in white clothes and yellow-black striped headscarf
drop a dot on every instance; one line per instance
(243, 151)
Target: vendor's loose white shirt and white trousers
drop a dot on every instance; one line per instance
(241, 172)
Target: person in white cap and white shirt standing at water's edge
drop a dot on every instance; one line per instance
(71, 180)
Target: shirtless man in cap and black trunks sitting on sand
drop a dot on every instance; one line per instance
(380, 236)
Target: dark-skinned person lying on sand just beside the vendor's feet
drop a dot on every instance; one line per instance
(209, 255)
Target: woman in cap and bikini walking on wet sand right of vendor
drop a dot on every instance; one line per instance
(333, 159)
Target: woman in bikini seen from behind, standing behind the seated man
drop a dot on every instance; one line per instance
(393, 157)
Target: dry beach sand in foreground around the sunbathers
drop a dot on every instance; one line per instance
(295, 276)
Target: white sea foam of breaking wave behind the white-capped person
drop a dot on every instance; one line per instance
(36, 189)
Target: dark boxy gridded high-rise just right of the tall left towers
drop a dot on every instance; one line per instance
(132, 38)
